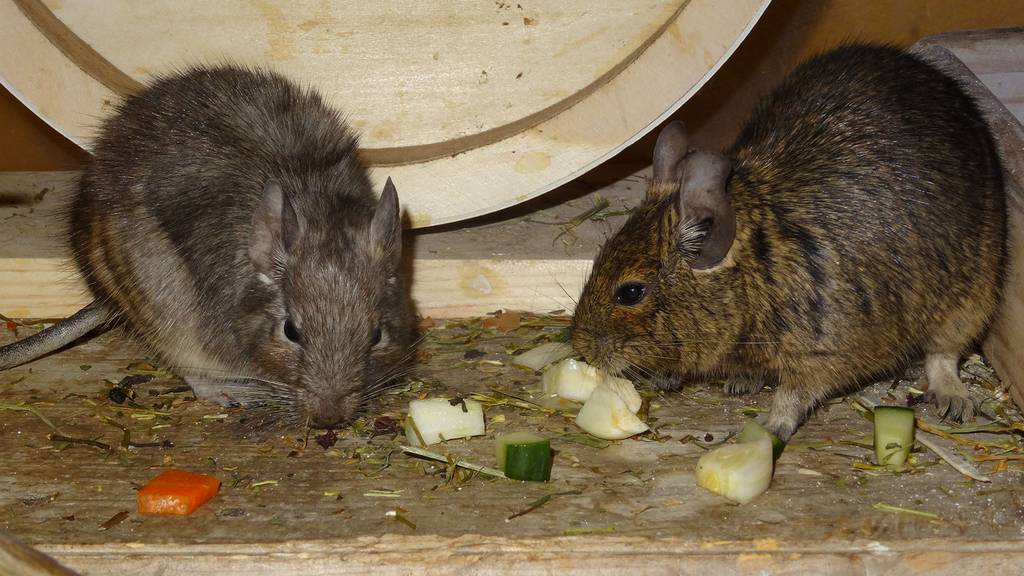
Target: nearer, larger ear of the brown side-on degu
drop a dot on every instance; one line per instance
(707, 222)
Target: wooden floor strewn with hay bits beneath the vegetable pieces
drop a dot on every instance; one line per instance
(289, 506)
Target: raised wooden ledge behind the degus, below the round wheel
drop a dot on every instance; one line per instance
(517, 261)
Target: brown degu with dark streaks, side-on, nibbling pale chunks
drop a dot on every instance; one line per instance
(857, 226)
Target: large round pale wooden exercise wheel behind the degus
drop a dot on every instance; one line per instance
(510, 101)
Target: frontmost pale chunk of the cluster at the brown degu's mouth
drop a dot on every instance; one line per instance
(608, 415)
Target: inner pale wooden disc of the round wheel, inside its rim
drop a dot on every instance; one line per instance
(550, 59)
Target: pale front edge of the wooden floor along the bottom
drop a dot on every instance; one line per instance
(401, 556)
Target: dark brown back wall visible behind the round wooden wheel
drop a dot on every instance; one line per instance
(788, 33)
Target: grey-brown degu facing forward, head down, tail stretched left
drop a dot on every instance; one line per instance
(227, 222)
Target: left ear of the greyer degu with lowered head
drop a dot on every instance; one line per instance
(276, 228)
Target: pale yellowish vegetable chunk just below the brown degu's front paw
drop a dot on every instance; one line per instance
(739, 472)
